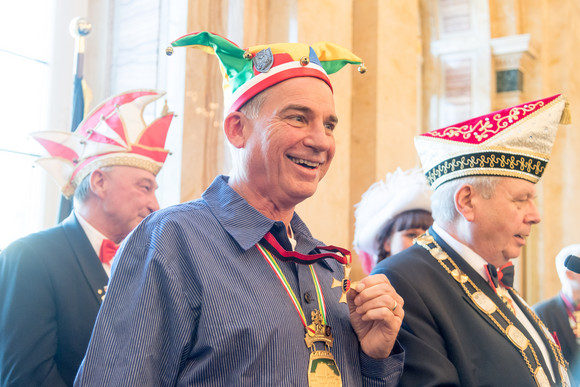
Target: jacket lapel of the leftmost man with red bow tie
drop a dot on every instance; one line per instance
(92, 269)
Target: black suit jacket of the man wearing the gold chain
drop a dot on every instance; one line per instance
(448, 340)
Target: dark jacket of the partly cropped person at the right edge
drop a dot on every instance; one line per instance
(553, 313)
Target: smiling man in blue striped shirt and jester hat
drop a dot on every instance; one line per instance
(232, 289)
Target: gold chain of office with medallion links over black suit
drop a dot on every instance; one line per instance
(486, 304)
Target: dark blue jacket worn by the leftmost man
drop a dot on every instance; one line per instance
(51, 285)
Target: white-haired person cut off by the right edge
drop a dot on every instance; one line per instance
(561, 313)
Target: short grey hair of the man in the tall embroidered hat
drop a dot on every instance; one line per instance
(443, 198)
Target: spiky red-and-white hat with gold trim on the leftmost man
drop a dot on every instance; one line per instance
(114, 133)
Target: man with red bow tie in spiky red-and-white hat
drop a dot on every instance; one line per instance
(52, 283)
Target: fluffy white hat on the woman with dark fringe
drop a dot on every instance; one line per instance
(400, 191)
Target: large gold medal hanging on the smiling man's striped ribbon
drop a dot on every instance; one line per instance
(322, 368)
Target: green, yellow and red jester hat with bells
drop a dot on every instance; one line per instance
(248, 72)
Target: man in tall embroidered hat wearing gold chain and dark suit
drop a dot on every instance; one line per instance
(464, 323)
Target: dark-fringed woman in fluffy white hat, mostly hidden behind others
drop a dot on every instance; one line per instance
(390, 215)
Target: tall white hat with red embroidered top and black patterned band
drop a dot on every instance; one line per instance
(513, 142)
